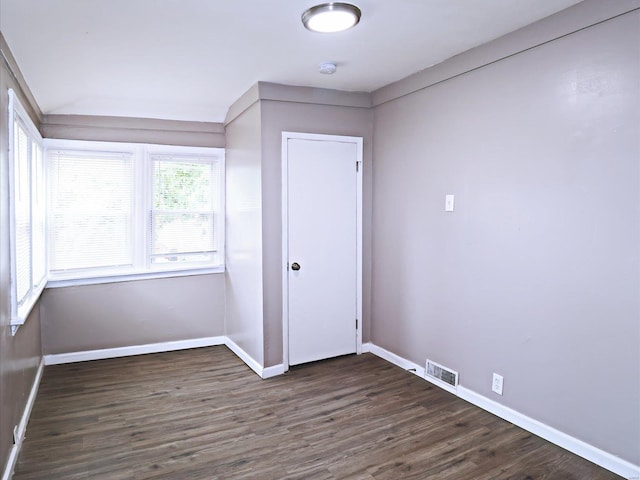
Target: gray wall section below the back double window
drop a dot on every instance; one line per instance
(91, 317)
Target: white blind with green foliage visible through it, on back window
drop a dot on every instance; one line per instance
(185, 196)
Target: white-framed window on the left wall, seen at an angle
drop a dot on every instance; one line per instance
(27, 214)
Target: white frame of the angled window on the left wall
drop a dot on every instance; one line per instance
(20, 308)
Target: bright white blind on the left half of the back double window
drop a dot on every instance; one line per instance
(90, 210)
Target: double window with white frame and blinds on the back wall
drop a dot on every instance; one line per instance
(133, 210)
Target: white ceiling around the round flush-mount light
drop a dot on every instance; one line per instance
(191, 59)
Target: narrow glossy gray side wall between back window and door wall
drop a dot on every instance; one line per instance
(244, 233)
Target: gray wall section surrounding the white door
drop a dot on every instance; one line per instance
(279, 116)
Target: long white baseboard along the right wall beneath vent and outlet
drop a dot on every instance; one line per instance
(589, 452)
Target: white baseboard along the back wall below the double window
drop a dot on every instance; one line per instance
(59, 358)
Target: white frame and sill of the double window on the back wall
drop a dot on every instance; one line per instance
(142, 206)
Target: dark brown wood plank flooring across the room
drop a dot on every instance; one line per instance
(202, 414)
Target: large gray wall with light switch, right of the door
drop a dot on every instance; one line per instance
(536, 274)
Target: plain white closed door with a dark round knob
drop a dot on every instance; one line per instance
(323, 183)
